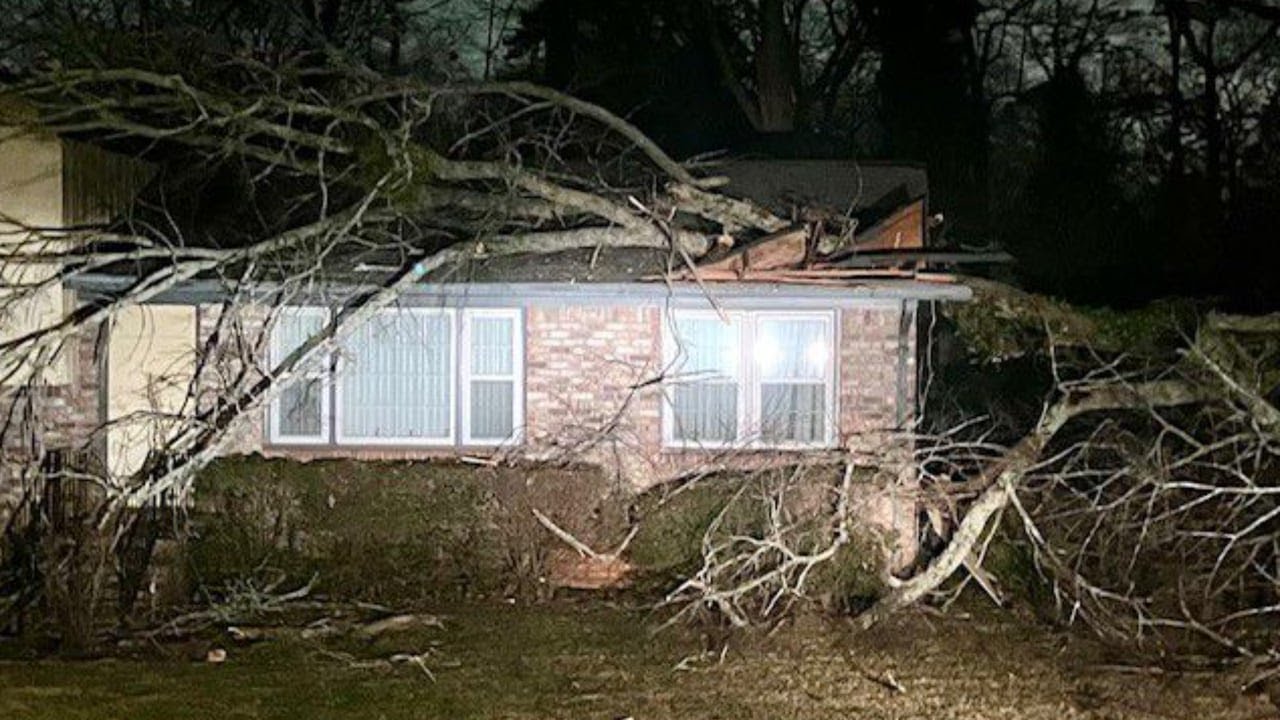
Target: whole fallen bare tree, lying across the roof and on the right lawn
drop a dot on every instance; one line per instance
(413, 179)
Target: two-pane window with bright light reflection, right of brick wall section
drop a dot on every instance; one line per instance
(764, 380)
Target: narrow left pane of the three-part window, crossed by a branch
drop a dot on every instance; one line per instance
(300, 407)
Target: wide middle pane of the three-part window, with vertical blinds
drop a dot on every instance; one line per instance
(396, 381)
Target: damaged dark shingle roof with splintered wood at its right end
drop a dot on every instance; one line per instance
(868, 192)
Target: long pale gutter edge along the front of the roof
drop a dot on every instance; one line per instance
(728, 294)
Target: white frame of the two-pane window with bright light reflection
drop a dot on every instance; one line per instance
(749, 384)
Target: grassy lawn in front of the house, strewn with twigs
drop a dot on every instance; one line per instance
(587, 660)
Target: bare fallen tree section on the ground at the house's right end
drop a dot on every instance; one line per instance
(1146, 490)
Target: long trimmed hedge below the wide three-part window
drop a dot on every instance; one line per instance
(390, 532)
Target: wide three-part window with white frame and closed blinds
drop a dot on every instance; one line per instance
(408, 377)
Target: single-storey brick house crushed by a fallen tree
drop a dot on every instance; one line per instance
(769, 350)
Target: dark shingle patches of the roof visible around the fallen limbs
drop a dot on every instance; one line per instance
(222, 209)
